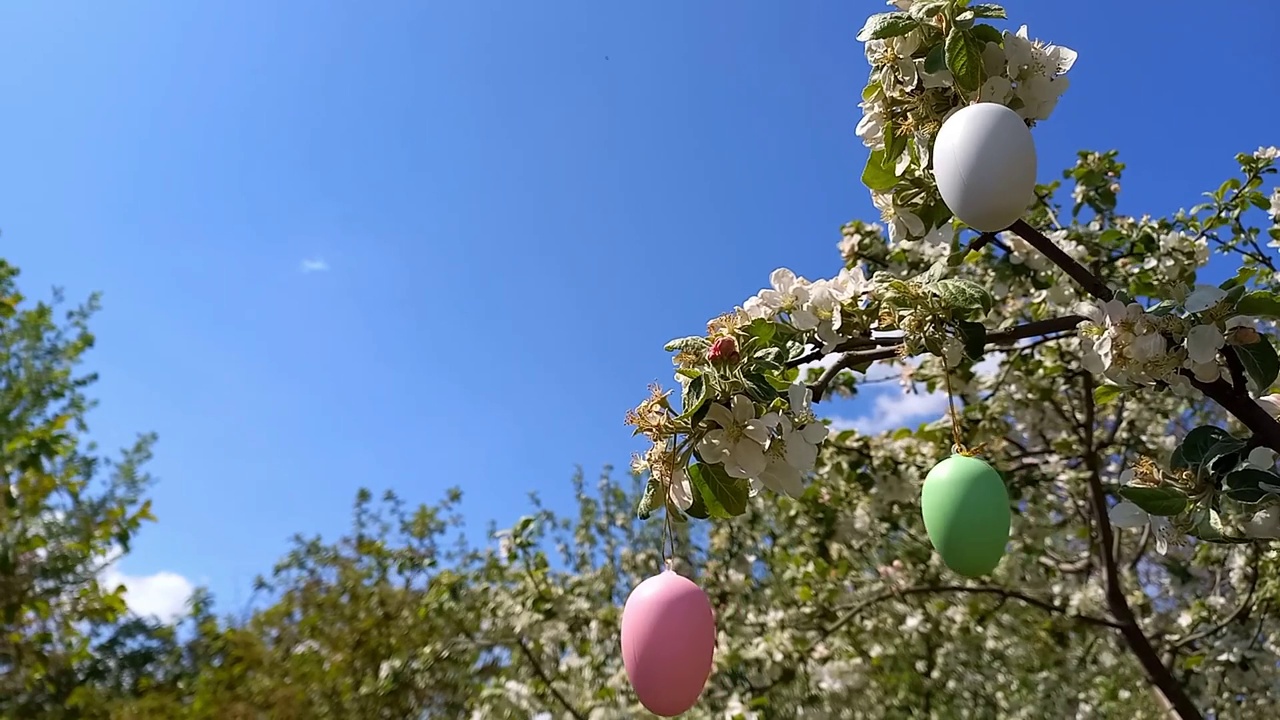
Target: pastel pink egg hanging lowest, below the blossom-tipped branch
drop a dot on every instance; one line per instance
(669, 640)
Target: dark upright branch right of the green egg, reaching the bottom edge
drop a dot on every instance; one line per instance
(1137, 641)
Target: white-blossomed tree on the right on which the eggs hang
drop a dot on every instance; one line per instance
(1110, 386)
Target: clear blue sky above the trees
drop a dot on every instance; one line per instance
(515, 206)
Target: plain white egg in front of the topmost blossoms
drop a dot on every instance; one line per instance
(985, 166)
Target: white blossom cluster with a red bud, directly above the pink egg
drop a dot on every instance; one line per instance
(730, 420)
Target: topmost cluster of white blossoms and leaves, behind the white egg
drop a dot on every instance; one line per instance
(915, 88)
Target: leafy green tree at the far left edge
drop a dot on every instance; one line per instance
(65, 513)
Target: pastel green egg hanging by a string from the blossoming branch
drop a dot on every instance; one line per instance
(967, 514)
